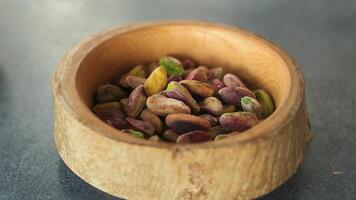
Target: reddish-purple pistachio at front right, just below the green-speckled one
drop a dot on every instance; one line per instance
(238, 121)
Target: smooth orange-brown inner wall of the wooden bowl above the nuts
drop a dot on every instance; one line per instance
(237, 51)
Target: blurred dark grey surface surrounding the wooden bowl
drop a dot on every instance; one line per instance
(321, 35)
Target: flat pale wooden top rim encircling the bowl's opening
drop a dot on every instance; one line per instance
(64, 89)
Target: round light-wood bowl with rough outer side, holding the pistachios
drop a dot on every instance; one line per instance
(245, 166)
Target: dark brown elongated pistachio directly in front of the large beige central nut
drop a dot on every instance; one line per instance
(183, 123)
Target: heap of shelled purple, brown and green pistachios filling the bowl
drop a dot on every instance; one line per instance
(179, 101)
